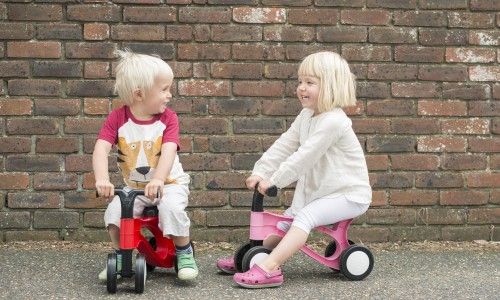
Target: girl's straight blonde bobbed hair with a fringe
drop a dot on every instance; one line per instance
(338, 88)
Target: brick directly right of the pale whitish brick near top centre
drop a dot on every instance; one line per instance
(312, 16)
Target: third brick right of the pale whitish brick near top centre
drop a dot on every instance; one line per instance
(419, 18)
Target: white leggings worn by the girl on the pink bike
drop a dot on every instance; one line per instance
(324, 211)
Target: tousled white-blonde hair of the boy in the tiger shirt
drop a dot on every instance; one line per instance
(137, 71)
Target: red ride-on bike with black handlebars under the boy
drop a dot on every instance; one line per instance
(156, 251)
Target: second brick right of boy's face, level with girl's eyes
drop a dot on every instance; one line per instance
(258, 88)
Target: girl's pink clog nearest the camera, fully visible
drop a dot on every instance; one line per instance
(256, 278)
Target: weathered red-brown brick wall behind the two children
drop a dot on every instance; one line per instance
(428, 114)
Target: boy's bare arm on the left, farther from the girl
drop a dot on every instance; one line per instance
(100, 166)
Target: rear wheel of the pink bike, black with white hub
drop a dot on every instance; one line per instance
(356, 262)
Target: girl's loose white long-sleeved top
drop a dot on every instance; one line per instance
(324, 156)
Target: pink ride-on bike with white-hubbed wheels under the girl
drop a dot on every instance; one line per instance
(341, 254)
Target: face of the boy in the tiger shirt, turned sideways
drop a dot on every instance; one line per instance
(157, 98)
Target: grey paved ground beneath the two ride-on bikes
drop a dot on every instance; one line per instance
(399, 274)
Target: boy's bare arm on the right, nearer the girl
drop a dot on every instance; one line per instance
(165, 163)
